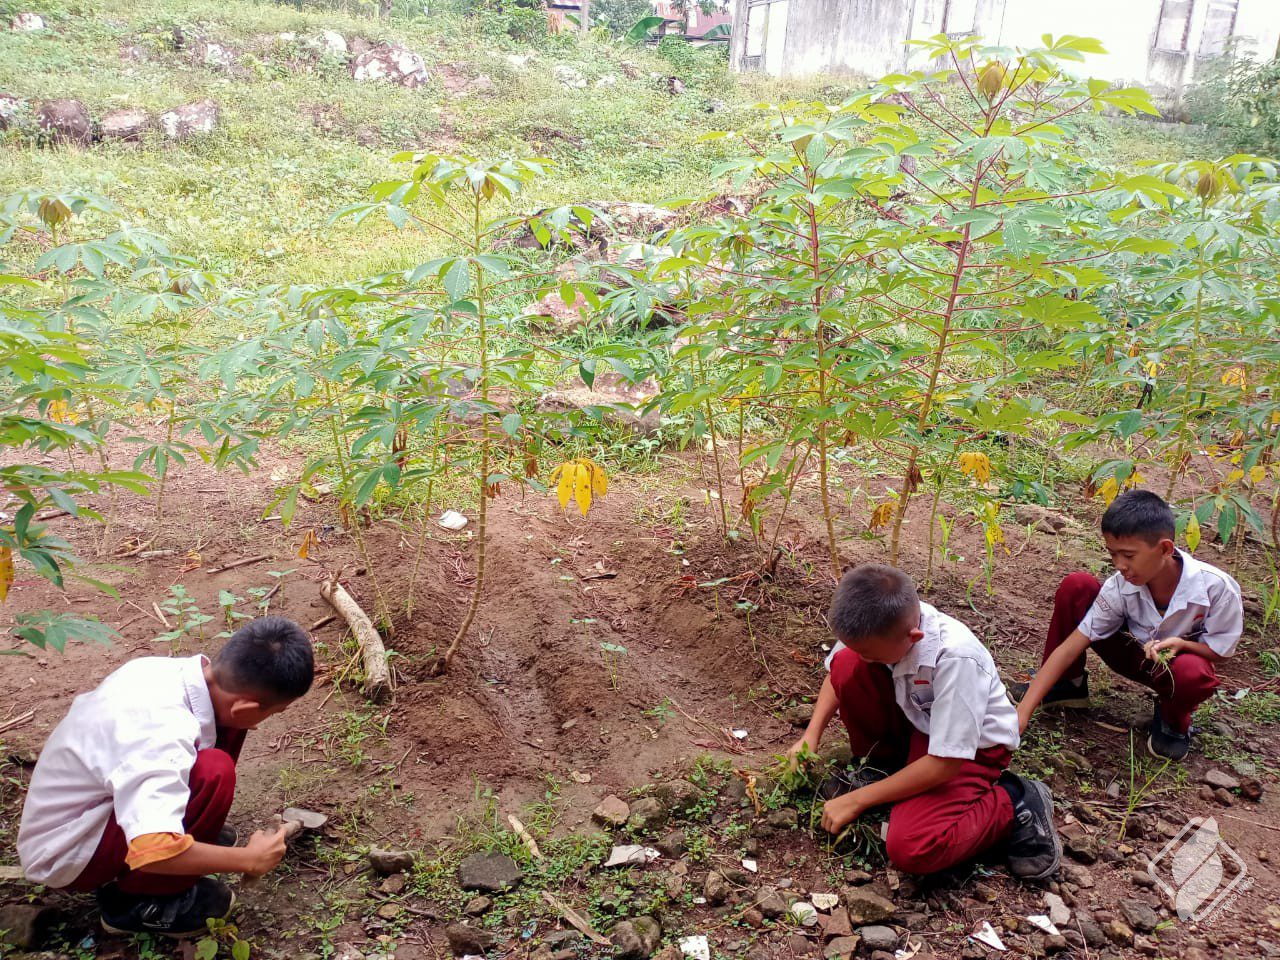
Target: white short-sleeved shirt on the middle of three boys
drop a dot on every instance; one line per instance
(949, 689)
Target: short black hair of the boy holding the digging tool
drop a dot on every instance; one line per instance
(269, 657)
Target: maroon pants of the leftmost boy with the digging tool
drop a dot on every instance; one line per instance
(213, 787)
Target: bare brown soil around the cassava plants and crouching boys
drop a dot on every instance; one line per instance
(533, 697)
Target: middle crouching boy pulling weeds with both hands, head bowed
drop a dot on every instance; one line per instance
(924, 703)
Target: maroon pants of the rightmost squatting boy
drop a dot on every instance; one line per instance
(1185, 685)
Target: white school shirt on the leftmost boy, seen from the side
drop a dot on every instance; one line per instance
(126, 747)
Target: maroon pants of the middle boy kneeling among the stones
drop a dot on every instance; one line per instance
(941, 828)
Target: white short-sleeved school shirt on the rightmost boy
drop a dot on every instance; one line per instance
(1206, 607)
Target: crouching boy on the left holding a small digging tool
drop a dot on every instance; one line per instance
(131, 794)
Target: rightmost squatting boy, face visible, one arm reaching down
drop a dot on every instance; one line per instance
(1164, 619)
